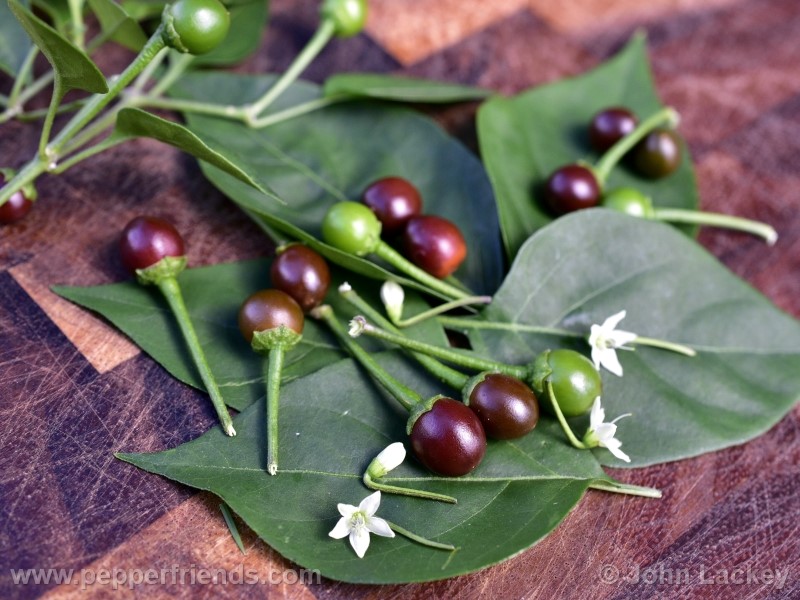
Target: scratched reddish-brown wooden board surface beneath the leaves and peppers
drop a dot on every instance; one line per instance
(72, 390)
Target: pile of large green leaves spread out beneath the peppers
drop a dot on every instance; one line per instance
(569, 274)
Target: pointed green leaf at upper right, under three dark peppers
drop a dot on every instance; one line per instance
(525, 138)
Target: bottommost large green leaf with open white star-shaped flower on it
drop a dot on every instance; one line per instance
(333, 423)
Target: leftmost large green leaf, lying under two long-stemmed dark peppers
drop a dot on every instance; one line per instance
(213, 296)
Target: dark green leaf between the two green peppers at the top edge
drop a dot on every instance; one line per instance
(248, 22)
